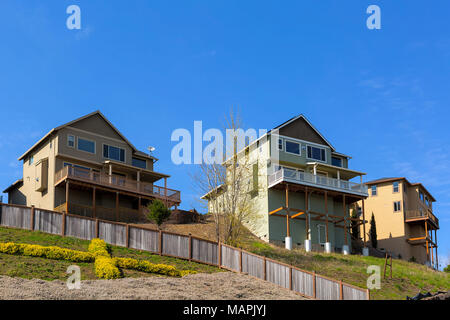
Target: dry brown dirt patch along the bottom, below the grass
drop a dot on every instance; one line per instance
(217, 286)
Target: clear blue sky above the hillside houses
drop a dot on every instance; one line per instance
(381, 96)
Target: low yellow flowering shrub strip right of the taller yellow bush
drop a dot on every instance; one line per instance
(146, 266)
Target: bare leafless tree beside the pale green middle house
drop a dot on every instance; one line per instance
(230, 186)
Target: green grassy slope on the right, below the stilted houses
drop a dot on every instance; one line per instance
(407, 278)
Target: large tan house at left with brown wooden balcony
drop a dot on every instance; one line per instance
(88, 167)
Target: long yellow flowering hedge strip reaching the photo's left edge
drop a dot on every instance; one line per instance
(51, 252)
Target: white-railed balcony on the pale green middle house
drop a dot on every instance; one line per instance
(309, 179)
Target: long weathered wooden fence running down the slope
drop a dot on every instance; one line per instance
(191, 248)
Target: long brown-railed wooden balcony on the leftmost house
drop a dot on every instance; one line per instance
(117, 182)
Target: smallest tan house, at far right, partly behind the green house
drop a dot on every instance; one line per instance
(405, 223)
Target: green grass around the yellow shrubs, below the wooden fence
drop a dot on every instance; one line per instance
(46, 269)
